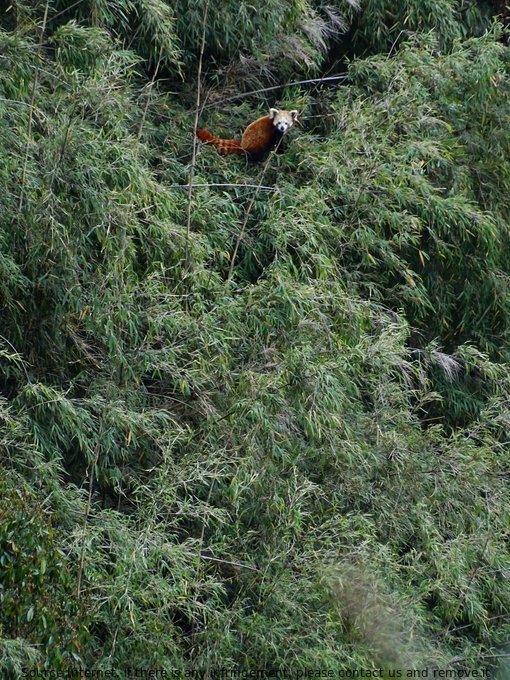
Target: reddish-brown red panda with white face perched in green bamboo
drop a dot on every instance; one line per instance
(259, 137)
